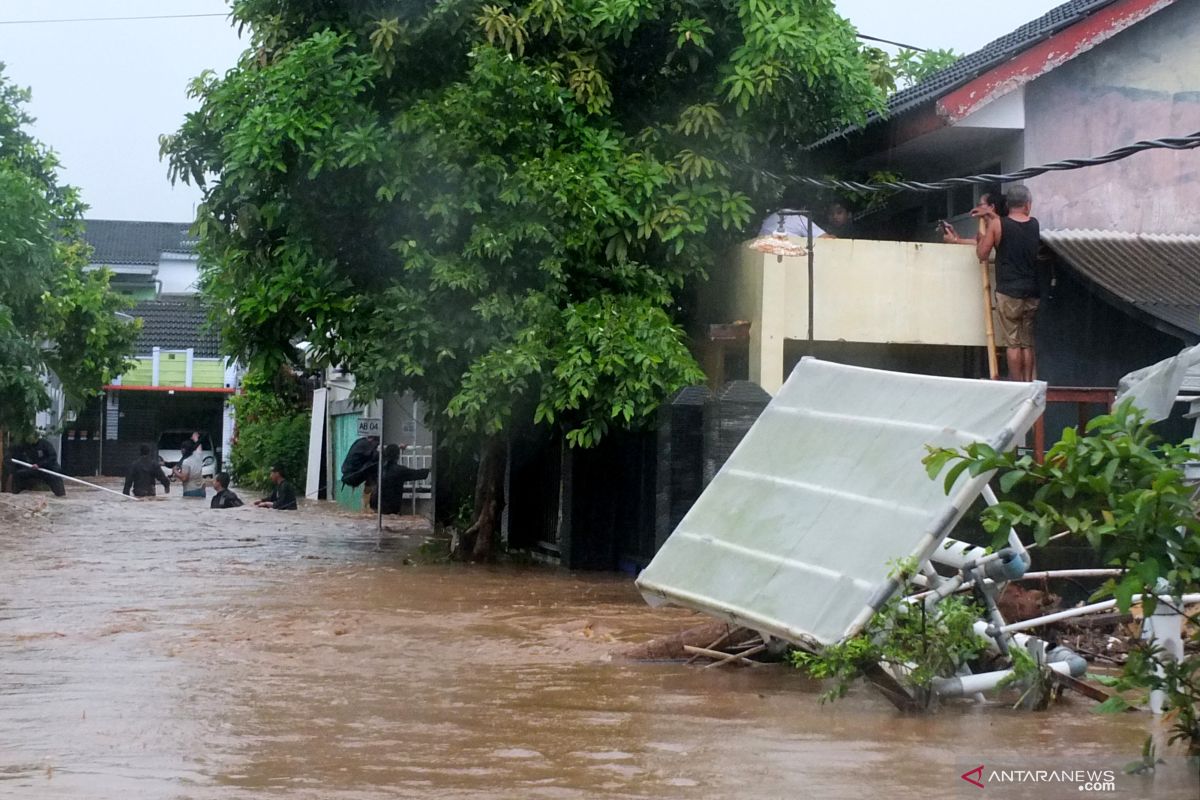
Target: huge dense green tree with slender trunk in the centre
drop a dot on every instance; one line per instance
(499, 206)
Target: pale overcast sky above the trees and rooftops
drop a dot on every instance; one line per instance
(105, 91)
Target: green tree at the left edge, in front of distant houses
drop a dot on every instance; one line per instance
(55, 316)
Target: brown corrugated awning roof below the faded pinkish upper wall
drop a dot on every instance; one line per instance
(1157, 275)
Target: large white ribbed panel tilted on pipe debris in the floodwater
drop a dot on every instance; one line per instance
(797, 534)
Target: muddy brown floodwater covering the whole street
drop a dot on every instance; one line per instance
(161, 651)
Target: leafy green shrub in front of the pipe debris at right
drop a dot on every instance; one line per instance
(1124, 491)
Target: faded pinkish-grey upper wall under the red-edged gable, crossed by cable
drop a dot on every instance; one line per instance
(1143, 83)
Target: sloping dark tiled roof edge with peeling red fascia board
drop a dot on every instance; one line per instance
(1006, 50)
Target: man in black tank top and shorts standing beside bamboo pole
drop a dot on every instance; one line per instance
(1016, 239)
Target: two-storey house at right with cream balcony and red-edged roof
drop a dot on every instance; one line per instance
(1121, 240)
